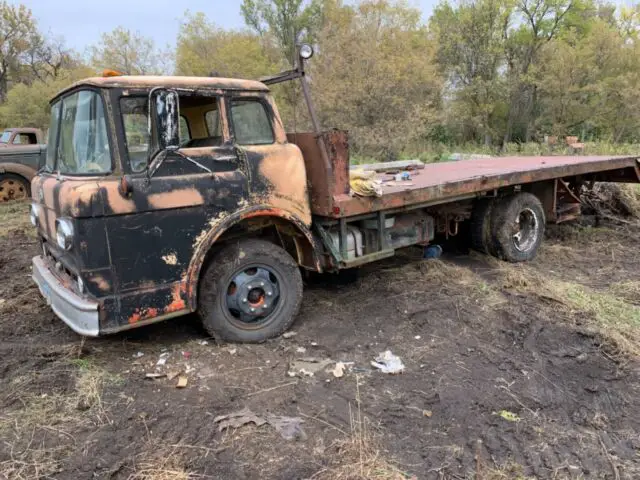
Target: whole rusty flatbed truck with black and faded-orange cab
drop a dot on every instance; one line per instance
(162, 196)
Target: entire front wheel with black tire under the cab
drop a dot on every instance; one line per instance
(219, 294)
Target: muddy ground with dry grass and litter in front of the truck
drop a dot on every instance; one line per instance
(525, 371)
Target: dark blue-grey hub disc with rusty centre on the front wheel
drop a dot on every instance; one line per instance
(253, 294)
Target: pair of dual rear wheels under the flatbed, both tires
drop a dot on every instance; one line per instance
(510, 228)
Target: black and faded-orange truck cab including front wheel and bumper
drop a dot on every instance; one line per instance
(143, 207)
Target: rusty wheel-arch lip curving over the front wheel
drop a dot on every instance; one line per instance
(219, 225)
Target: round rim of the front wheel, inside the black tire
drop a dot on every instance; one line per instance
(253, 296)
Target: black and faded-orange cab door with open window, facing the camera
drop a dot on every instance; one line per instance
(154, 228)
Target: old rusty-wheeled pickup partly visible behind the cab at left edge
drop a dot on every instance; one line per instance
(21, 150)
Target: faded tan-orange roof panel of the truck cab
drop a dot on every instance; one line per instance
(151, 81)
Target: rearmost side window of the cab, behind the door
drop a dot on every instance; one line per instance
(251, 122)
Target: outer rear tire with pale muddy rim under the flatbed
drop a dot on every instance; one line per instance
(517, 227)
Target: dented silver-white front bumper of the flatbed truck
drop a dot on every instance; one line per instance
(79, 313)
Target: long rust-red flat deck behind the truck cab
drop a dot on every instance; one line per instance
(449, 181)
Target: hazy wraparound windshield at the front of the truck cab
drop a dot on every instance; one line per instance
(82, 143)
